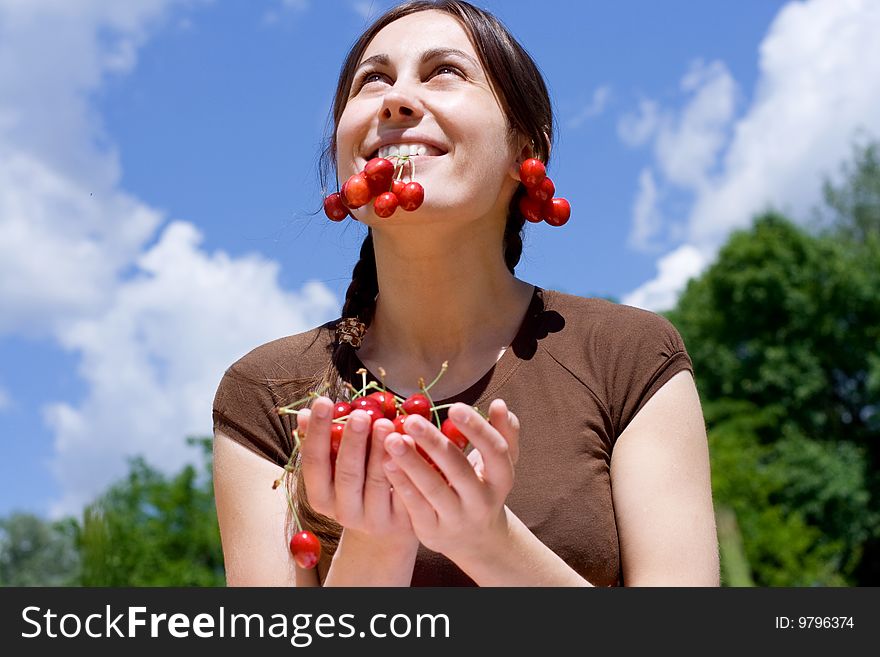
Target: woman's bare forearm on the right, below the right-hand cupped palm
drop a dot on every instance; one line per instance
(517, 558)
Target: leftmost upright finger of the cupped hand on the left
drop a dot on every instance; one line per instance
(315, 450)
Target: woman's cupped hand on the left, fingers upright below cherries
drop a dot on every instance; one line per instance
(359, 495)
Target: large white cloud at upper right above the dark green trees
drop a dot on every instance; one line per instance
(818, 87)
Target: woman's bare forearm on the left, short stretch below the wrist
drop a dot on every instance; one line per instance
(362, 561)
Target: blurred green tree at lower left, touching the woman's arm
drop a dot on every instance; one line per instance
(153, 530)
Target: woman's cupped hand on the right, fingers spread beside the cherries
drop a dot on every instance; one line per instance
(467, 515)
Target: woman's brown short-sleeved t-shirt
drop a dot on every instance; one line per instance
(577, 372)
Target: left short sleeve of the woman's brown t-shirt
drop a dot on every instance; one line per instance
(244, 410)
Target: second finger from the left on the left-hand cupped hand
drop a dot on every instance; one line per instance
(350, 467)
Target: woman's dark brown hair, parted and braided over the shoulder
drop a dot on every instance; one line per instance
(523, 95)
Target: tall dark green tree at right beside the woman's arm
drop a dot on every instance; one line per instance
(784, 332)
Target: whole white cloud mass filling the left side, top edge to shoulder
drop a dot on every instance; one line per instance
(154, 327)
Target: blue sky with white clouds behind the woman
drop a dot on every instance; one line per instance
(158, 182)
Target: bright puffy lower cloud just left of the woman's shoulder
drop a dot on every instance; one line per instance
(153, 360)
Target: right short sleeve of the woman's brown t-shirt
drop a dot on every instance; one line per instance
(650, 352)
